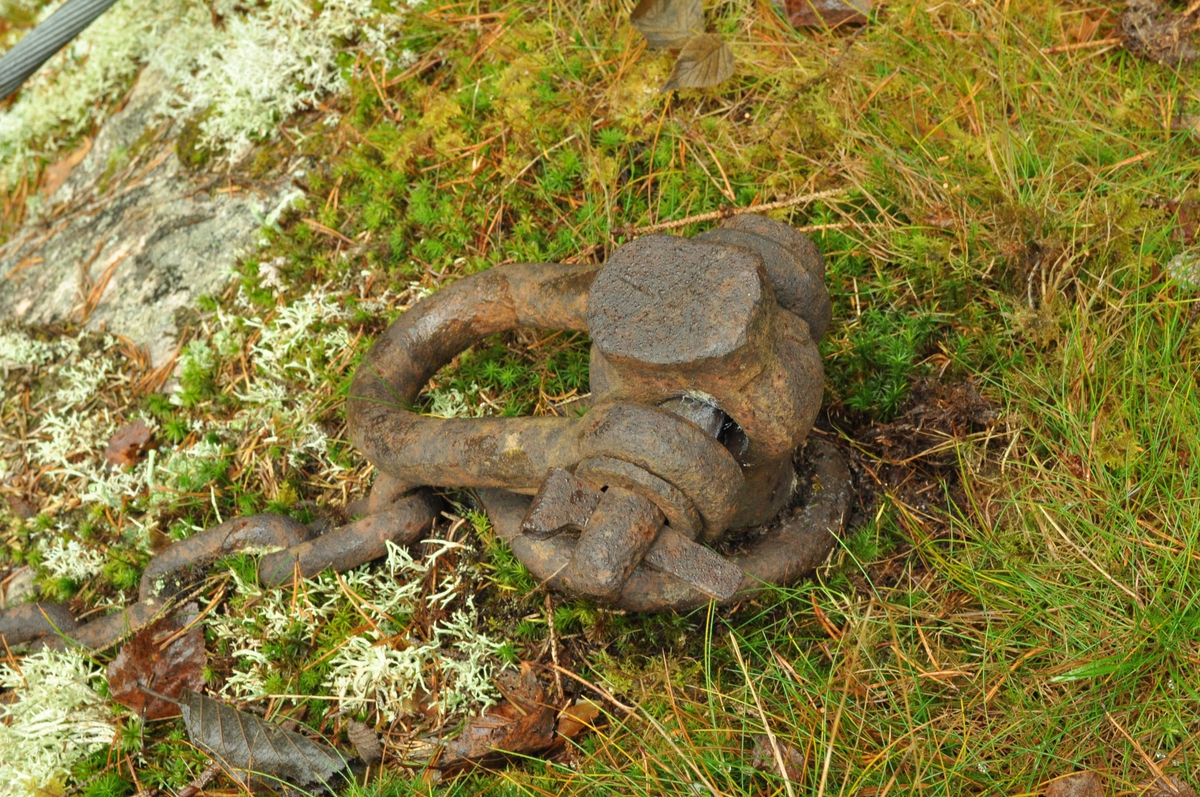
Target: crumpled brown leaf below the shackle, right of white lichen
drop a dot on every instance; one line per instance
(524, 723)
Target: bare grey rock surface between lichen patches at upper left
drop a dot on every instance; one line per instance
(133, 214)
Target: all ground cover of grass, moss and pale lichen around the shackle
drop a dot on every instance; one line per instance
(1009, 217)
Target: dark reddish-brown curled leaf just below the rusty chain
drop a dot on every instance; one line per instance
(152, 660)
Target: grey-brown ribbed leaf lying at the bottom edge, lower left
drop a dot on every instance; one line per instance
(248, 747)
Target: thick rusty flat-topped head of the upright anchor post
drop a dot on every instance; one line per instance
(673, 317)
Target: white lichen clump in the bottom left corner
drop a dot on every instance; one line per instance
(56, 720)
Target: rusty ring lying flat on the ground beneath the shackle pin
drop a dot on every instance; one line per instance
(784, 553)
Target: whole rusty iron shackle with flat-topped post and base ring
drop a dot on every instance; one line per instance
(706, 380)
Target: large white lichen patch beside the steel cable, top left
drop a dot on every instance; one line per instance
(260, 64)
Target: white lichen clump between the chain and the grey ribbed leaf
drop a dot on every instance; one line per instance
(383, 668)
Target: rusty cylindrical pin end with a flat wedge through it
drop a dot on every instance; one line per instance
(613, 544)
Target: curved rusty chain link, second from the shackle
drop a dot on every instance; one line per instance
(187, 561)
